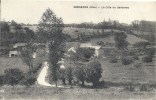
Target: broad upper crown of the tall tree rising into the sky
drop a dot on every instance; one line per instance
(49, 26)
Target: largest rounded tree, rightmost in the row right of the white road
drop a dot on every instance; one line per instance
(93, 72)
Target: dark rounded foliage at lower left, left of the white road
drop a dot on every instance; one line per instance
(13, 76)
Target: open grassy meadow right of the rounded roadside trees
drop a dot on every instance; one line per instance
(116, 72)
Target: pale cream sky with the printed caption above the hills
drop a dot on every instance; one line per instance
(26, 11)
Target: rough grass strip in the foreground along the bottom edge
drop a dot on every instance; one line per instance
(47, 93)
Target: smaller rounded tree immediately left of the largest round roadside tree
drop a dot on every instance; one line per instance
(79, 73)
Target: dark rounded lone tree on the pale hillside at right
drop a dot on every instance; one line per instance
(120, 41)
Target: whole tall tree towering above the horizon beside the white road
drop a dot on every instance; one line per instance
(50, 32)
